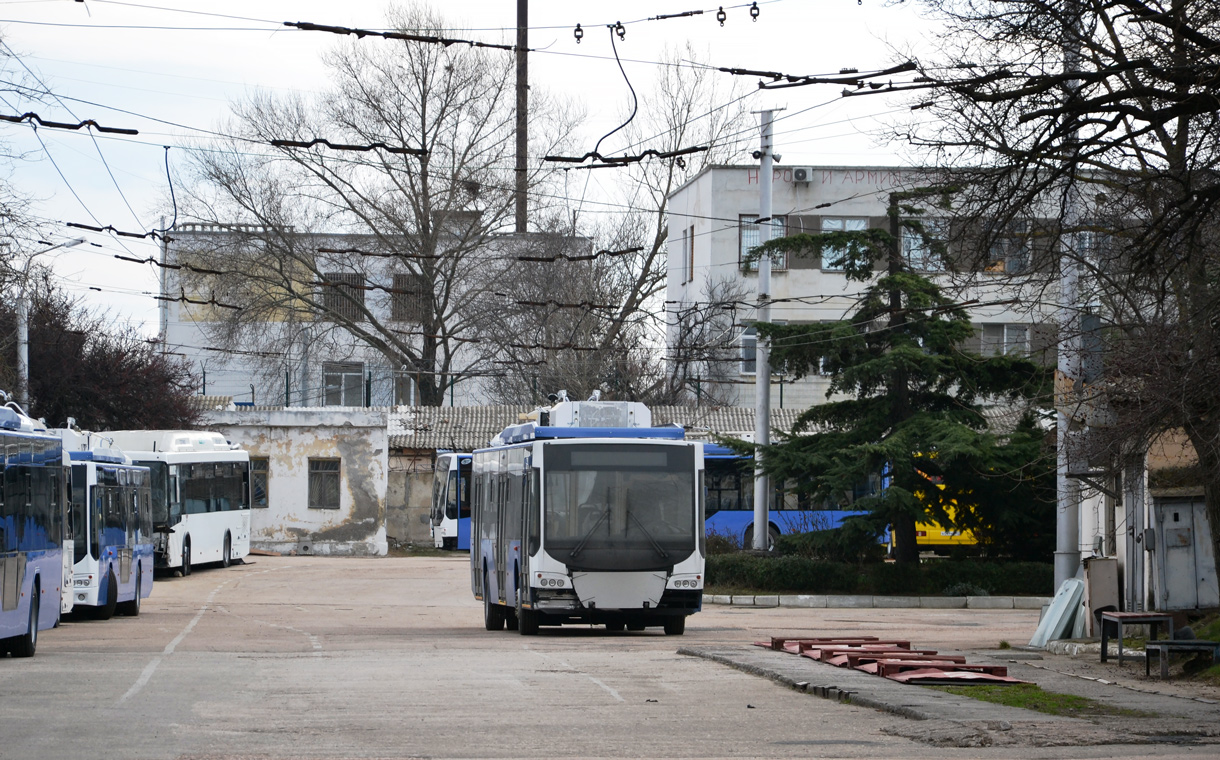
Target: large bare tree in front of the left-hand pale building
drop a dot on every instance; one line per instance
(395, 252)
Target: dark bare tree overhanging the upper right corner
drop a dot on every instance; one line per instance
(1094, 125)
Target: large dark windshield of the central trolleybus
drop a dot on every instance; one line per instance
(620, 507)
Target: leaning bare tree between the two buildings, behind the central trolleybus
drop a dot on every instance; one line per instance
(617, 341)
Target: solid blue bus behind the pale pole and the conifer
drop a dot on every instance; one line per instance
(730, 482)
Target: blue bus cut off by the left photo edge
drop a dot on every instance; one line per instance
(31, 532)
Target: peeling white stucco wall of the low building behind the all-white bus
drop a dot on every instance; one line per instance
(290, 439)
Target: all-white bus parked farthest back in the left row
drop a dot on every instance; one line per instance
(201, 495)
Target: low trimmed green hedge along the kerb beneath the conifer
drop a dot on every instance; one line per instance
(801, 575)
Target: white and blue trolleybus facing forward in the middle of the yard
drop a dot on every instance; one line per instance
(589, 515)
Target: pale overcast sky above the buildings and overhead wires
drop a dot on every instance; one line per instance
(170, 69)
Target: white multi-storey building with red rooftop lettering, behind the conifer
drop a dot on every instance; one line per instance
(712, 230)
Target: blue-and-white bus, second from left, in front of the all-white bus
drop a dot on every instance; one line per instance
(112, 515)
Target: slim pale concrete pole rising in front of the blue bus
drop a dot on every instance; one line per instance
(763, 354)
